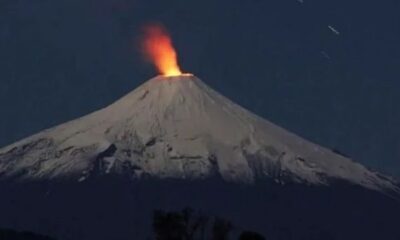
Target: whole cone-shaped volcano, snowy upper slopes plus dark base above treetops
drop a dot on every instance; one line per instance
(174, 141)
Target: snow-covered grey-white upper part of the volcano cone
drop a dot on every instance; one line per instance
(178, 127)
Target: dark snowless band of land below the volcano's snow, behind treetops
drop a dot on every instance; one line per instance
(112, 208)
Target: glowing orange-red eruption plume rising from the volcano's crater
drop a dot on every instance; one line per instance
(157, 47)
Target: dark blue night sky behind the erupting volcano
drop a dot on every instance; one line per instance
(327, 70)
